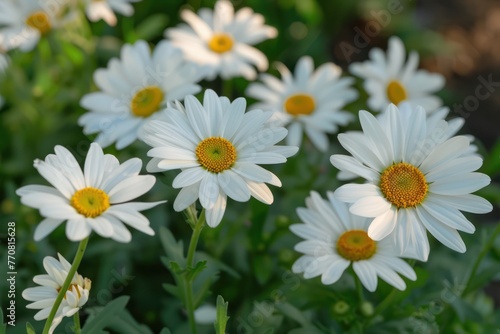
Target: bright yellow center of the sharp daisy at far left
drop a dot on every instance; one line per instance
(90, 202)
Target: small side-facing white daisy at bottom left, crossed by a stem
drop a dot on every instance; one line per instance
(44, 296)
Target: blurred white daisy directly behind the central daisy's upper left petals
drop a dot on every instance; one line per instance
(134, 88)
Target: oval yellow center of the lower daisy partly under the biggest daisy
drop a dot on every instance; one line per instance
(356, 245)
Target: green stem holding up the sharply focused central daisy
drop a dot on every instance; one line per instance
(197, 225)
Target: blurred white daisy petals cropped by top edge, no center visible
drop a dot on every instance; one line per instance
(104, 9)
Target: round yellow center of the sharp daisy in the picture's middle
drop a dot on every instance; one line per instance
(216, 154)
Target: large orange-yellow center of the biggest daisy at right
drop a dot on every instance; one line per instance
(403, 185)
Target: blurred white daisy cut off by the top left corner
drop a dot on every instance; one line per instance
(24, 22)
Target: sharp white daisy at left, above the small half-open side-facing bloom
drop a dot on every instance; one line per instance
(92, 200)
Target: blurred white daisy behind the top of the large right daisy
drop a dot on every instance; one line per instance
(387, 79)
